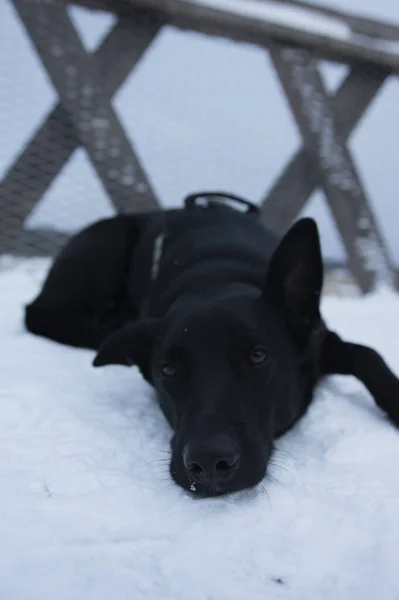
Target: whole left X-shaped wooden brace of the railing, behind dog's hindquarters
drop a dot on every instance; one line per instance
(84, 117)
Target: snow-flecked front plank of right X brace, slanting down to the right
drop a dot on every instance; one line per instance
(367, 254)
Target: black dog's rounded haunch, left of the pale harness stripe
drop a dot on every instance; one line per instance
(83, 299)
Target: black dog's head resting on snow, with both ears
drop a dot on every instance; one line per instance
(230, 375)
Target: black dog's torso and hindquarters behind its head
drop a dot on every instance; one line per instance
(128, 266)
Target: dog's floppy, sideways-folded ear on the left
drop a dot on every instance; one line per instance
(131, 345)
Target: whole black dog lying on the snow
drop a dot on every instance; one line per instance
(220, 318)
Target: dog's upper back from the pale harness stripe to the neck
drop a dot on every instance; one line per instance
(184, 251)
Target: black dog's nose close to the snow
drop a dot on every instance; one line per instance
(211, 461)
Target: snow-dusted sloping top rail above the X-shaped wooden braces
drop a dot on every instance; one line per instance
(242, 27)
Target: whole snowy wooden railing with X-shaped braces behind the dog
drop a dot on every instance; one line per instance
(296, 34)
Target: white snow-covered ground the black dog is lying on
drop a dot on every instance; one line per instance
(89, 512)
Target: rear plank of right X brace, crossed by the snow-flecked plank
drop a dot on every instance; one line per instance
(292, 189)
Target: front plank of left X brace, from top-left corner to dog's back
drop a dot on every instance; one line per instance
(77, 79)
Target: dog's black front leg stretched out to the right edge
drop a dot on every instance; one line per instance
(364, 363)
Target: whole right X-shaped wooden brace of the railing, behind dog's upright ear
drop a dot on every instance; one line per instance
(325, 124)
